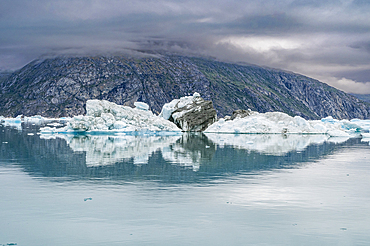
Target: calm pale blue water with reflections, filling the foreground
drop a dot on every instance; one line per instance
(183, 190)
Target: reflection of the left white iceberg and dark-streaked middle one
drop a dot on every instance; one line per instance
(185, 150)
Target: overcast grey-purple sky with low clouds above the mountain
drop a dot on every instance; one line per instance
(326, 40)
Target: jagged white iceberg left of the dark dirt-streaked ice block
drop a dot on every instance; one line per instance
(103, 116)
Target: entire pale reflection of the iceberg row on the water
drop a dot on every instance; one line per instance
(186, 150)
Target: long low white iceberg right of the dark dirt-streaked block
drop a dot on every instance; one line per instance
(277, 123)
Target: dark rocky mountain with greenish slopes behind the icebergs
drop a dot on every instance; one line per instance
(61, 86)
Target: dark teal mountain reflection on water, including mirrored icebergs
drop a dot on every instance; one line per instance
(185, 158)
